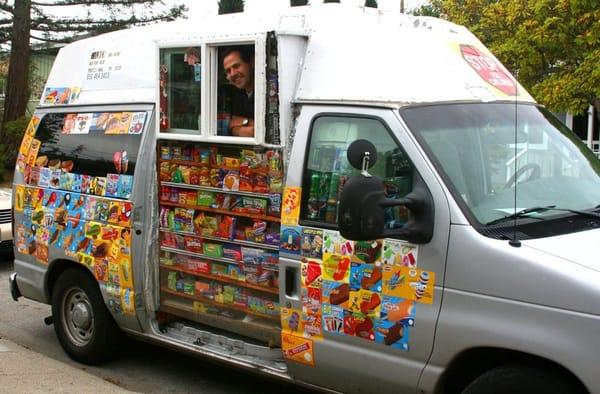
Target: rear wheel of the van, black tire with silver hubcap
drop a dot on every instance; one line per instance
(84, 326)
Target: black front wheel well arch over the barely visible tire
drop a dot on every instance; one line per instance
(470, 364)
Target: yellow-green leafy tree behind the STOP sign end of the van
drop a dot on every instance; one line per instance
(552, 46)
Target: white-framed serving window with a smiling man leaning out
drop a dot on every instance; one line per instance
(220, 91)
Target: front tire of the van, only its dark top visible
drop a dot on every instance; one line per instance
(521, 379)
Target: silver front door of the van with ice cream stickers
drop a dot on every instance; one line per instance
(357, 315)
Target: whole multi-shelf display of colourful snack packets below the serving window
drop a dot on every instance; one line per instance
(219, 218)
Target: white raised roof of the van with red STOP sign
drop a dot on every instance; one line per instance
(353, 55)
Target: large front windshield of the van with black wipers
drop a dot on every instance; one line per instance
(485, 150)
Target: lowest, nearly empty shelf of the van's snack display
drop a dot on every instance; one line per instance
(262, 330)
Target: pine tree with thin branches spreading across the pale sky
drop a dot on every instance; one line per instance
(32, 19)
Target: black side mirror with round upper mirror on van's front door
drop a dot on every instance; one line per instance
(363, 202)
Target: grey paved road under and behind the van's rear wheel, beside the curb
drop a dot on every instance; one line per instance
(142, 367)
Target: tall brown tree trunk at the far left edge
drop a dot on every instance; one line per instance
(17, 90)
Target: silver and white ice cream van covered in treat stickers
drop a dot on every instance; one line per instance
(344, 198)
